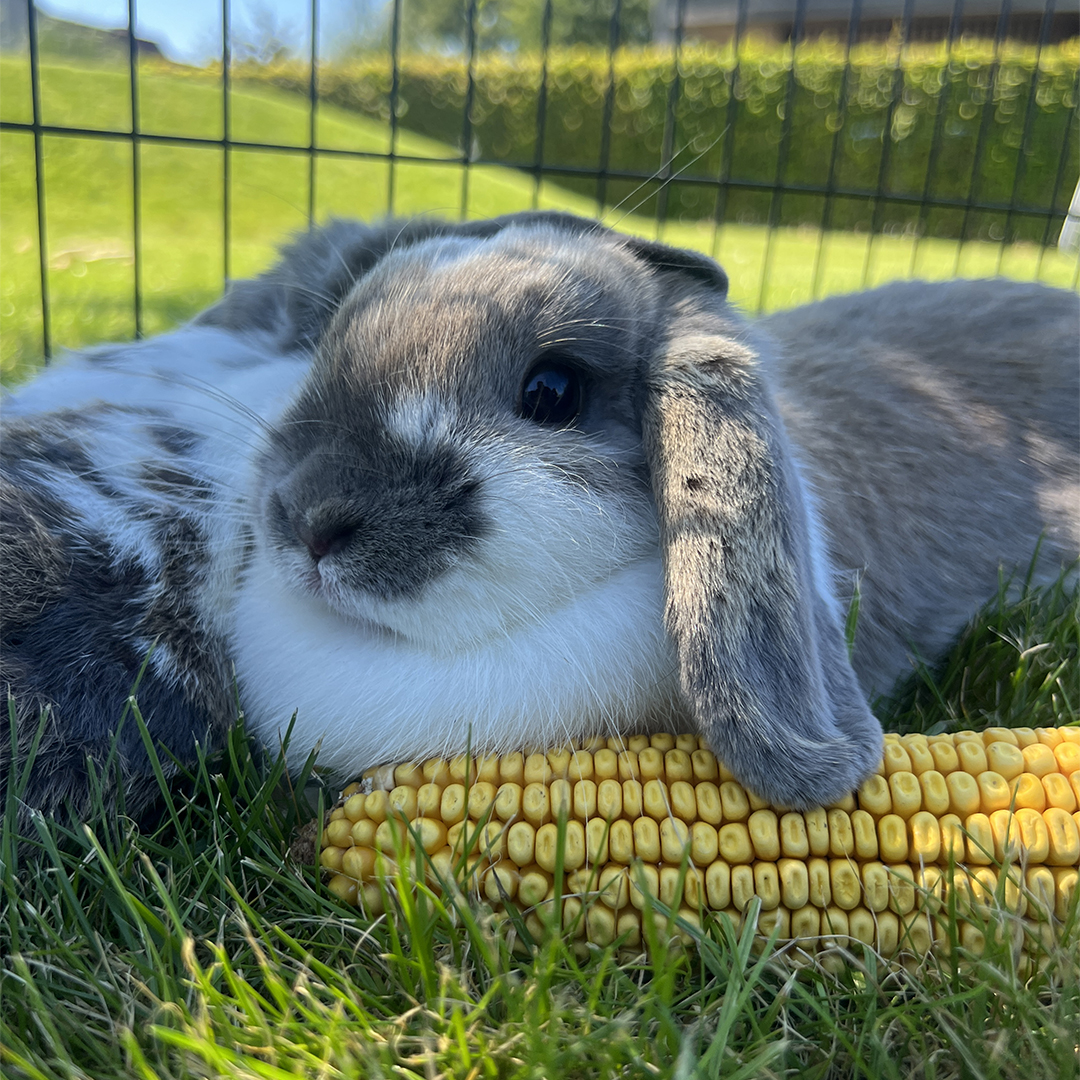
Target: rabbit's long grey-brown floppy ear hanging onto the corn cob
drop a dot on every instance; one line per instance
(763, 660)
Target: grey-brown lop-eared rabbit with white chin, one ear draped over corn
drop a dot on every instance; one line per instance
(543, 481)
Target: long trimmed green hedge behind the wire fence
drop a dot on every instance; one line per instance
(978, 99)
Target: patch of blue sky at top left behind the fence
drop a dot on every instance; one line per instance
(191, 31)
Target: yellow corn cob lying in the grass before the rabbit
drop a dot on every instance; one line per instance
(951, 830)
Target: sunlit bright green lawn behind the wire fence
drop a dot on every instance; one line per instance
(89, 219)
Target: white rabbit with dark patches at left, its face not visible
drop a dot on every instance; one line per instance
(121, 539)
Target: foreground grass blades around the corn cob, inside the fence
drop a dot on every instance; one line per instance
(199, 949)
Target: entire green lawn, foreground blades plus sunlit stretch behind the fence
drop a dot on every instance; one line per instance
(196, 948)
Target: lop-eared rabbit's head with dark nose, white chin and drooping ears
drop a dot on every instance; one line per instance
(535, 487)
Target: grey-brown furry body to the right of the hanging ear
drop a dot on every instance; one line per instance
(941, 428)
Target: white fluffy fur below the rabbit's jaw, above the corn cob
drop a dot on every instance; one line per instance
(601, 665)
